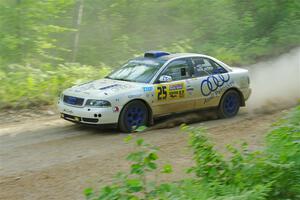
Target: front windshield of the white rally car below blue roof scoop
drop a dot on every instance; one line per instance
(137, 71)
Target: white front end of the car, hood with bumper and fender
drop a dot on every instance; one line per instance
(118, 93)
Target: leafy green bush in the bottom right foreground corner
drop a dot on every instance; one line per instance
(273, 171)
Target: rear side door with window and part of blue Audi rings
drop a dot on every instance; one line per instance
(212, 80)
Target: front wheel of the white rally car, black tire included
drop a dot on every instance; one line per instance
(133, 115)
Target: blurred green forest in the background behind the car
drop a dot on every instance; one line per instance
(112, 31)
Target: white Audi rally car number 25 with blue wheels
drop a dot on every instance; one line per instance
(159, 83)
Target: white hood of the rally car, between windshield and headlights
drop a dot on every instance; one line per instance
(103, 88)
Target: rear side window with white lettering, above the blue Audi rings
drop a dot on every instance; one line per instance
(206, 67)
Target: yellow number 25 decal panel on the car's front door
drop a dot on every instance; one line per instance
(170, 91)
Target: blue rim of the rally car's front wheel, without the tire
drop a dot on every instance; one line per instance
(135, 116)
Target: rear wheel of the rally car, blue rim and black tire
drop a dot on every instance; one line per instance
(230, 104)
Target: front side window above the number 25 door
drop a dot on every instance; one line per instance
(178, 70)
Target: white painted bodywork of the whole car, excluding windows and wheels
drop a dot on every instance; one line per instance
(163, 98)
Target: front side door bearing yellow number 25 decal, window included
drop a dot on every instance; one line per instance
(172, 96)
